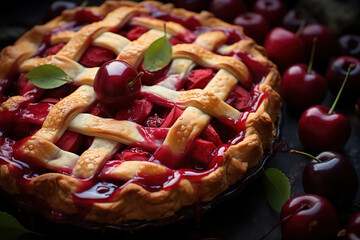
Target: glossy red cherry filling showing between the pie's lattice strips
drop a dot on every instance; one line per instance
(152, 114)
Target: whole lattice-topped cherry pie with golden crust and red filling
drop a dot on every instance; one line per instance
(196, 127)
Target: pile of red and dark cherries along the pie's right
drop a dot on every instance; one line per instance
(313, 62)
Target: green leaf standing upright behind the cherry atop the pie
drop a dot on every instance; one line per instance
(158, 54)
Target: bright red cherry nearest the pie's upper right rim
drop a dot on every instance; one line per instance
(284, 47)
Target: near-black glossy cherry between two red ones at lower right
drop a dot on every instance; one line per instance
(333, 178)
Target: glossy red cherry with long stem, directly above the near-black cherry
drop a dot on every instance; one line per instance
(320, 131)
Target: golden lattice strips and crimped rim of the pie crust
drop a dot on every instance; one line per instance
(200, 106)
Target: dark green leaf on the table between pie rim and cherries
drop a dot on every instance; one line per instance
(277, 188)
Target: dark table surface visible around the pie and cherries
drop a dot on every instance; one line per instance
(245, 215)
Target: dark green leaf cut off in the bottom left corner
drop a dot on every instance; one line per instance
(10, 228)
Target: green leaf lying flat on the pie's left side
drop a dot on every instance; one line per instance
(47, 76)
